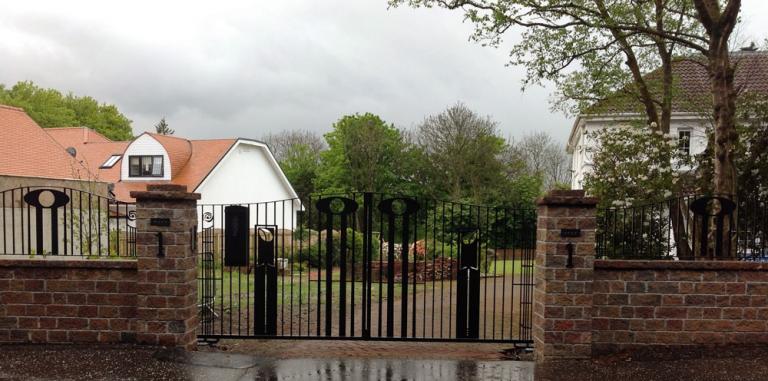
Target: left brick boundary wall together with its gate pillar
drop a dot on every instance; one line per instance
(151, 299)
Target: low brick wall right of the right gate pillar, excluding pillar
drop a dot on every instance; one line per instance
(678, 303)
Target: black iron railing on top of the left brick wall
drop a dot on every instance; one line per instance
(58, 221)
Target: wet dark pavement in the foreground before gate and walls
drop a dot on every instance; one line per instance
(71, 362)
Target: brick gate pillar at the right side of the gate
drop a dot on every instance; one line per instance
(562, 312)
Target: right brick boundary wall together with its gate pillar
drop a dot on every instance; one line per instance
(598, 307)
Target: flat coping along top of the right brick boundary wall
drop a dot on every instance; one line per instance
(620, 264)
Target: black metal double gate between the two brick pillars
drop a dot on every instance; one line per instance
(366, 266)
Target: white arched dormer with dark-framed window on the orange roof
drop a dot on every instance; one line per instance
(145, 159)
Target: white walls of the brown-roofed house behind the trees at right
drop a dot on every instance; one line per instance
(581, 161)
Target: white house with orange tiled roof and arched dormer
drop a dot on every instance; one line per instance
(223, 171)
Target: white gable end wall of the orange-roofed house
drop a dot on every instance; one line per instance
(247, 175)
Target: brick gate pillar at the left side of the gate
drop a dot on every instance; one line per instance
(167, 281)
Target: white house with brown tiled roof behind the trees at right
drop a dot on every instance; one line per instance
(691, 110)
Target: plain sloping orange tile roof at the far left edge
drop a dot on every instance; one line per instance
(26, 150)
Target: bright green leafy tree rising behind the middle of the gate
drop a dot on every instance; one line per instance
(366, 154)
